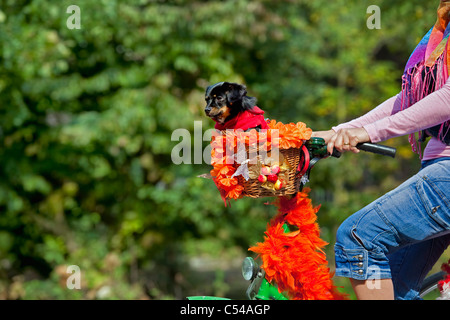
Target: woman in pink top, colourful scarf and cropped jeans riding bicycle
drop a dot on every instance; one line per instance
(399, 237)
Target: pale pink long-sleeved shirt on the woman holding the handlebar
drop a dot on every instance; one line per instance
(389, 121)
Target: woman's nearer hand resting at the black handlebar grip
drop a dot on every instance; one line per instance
(347, 139)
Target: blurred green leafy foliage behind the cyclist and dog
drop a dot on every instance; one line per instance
(86, 118)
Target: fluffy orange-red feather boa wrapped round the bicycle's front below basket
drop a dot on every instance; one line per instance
(295, 260)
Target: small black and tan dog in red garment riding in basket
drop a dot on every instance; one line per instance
(230, 107)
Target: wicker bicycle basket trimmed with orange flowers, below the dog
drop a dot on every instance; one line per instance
(260, 164)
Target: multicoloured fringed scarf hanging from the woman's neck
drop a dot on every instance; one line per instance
(427, 71)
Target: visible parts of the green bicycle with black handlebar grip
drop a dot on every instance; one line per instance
(260, 288)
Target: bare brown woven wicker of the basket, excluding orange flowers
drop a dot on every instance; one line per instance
(253, 188)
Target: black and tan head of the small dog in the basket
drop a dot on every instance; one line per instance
(224, 100)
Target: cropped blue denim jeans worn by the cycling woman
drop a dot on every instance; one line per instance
(400, 235)
